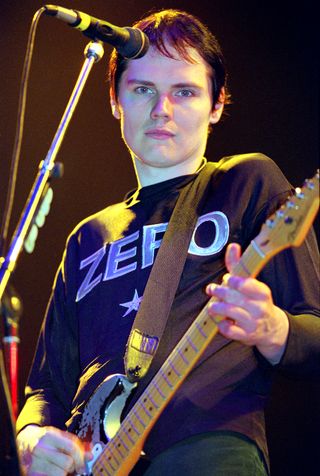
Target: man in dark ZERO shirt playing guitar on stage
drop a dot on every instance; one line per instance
(166, 102)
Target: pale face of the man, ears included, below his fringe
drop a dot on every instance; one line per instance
(165, 108)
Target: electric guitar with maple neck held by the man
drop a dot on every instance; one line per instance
(117, 445)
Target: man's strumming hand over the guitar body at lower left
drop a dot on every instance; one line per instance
(48, 451)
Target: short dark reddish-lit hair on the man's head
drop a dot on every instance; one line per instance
(182, 31)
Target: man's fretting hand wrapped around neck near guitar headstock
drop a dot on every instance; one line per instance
(250, 315)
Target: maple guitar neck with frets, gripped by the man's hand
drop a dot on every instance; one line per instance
(144, 414)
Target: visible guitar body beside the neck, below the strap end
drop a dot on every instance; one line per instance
(101, 417)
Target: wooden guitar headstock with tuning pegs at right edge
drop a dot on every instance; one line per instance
(291, 223)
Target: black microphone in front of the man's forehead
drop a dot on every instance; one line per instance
(130, 43)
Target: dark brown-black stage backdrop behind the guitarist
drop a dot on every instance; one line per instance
(273, 64)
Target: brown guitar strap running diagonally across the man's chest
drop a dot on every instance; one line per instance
(164, 278)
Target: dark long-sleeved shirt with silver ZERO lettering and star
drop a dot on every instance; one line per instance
(101, 281)
